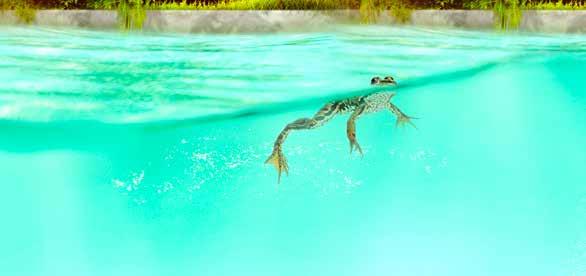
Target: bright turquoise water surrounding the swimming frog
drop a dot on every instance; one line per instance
(142, 154)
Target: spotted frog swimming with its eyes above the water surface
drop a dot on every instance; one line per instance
(357, 106)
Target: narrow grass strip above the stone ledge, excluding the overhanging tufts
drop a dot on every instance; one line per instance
(293, 4)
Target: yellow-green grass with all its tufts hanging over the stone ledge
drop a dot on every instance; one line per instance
(132, 13)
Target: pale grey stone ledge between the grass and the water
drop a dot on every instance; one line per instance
(276, 21)
